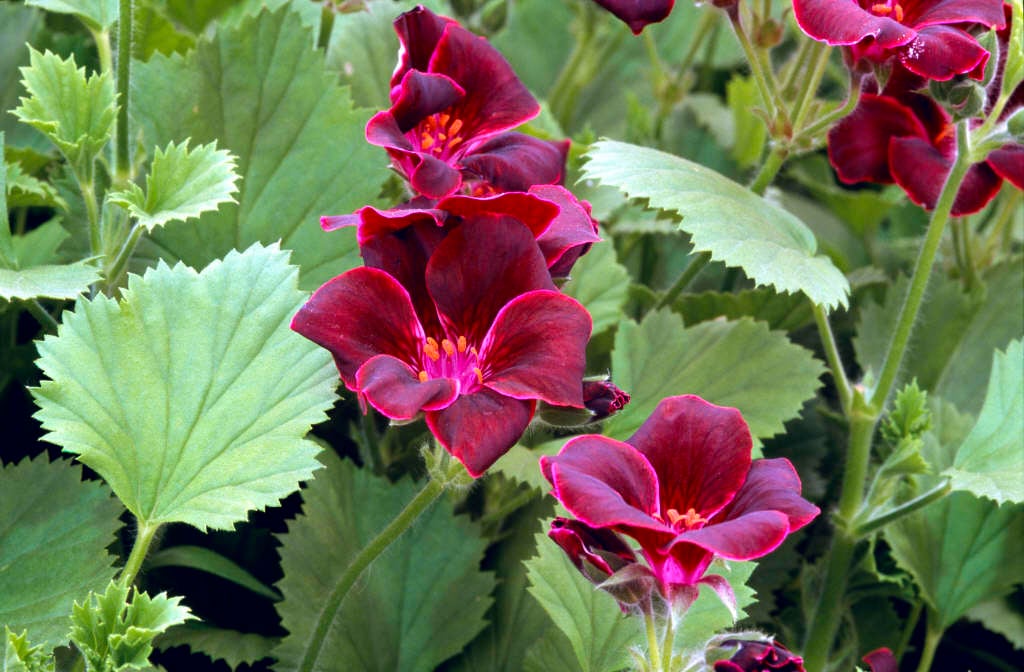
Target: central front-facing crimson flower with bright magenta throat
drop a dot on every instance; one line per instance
(492, 338)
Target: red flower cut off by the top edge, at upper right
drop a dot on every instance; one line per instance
(929, 38)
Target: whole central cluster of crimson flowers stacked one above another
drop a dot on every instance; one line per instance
(455, 317)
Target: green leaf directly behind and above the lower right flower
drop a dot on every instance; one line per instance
(739, 364)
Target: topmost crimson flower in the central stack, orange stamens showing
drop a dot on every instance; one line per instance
(454, 97)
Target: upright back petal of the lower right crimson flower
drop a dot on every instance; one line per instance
(710, 444)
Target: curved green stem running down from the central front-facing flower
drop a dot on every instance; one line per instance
(402, 523)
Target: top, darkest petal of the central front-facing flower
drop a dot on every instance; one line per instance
(481, 268)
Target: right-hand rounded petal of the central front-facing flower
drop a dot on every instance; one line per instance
(536, 349)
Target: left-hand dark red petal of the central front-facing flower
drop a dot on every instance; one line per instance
(359, 315)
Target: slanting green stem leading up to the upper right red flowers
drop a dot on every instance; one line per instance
(923, 269)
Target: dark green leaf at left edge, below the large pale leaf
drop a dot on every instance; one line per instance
(55, 531)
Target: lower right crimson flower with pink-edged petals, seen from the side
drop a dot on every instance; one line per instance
(686, 489)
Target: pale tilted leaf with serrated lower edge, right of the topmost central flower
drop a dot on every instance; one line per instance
(738, 227)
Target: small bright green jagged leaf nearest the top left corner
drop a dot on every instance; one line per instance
(76, 113)
